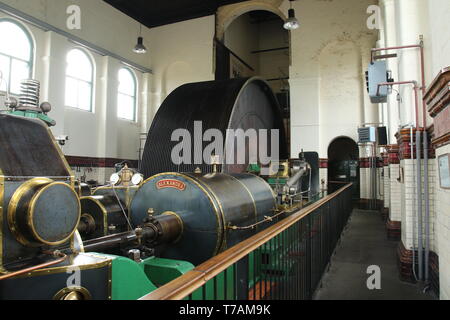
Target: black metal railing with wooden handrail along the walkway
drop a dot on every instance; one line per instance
(284, 262)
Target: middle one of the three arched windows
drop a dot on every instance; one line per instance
(79, 80)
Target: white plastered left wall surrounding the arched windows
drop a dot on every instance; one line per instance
(99, 133)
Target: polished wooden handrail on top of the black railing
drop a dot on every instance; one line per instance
(186, 284)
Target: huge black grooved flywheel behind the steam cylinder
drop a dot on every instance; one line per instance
(222, 105)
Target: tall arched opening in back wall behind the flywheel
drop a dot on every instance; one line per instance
(256, 44)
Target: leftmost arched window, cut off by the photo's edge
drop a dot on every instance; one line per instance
(16, 55)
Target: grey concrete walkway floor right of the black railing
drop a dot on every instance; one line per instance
(364, 243)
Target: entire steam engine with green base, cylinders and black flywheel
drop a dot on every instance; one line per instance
(70, 243)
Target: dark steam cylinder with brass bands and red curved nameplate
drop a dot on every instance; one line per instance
(210, 208)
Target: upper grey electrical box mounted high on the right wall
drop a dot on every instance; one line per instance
(376, 74)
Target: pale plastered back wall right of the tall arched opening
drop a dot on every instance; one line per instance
(329, 56)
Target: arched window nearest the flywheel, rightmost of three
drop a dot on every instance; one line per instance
(126, 100)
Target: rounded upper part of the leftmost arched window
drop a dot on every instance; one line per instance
(14, 41)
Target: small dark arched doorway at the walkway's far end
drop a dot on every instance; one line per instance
(343, 165)
